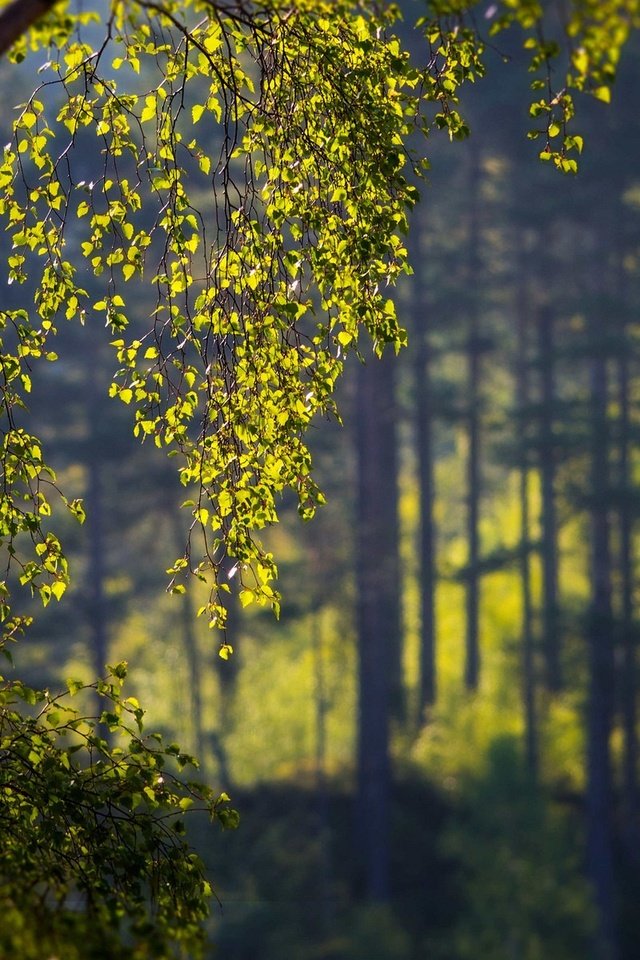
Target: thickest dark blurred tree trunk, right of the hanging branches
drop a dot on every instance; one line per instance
(378, 614)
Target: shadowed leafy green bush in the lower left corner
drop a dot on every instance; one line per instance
(93, 829)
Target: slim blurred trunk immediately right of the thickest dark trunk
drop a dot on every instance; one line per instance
(427, 533)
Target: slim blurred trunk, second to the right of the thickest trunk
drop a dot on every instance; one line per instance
(474, 354)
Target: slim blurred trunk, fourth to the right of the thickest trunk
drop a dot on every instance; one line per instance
(548, 519)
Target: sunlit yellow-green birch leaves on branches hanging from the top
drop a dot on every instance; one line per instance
(267, 258)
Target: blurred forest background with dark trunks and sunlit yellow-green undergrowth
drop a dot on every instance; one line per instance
(478, 547)
